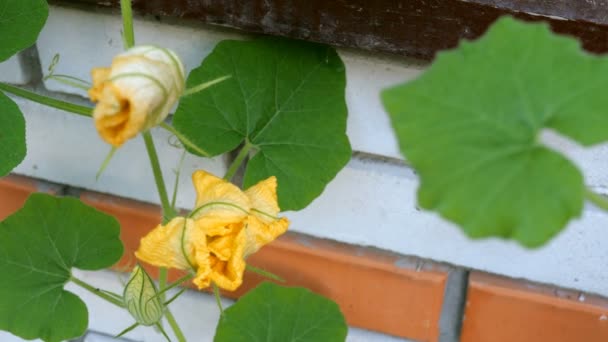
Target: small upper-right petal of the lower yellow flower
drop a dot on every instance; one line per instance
(263, 197)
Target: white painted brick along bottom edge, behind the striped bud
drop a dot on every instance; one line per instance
(196, 312)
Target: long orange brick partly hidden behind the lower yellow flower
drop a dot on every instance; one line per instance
(374, 290)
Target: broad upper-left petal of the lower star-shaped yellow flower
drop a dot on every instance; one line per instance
(218, 203)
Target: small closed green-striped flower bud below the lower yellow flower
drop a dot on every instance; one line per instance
(141, 298)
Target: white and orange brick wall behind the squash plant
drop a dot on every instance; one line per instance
(394, 269)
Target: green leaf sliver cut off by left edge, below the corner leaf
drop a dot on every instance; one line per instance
(12, 135)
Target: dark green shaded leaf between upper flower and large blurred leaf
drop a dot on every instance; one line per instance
(286, 98)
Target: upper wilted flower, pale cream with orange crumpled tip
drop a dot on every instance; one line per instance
(136, 93)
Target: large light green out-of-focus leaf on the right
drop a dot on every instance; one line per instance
(470, 126)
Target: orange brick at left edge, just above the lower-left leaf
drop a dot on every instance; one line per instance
(14, 190)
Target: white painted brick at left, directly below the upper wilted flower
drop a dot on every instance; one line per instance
(66, 148)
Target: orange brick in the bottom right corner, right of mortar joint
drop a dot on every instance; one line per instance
(500, 309)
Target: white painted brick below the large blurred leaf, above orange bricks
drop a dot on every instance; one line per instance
(374, 204)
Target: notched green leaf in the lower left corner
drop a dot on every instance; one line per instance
(39, 245)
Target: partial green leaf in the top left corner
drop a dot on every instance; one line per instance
(20, 23)
